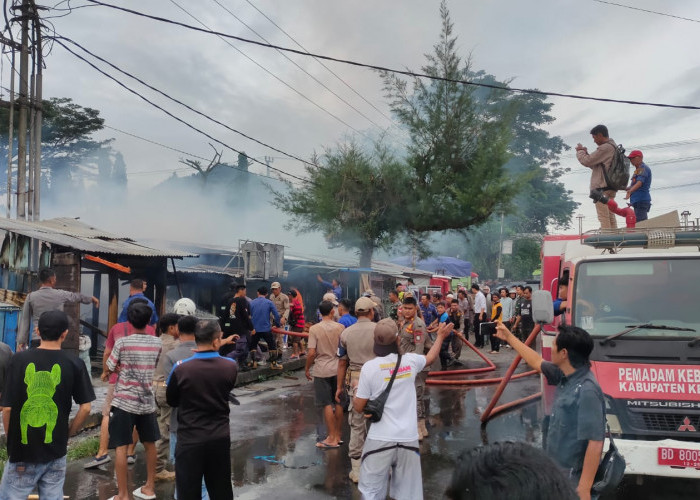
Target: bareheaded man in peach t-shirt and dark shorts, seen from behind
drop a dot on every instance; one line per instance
(323, 346)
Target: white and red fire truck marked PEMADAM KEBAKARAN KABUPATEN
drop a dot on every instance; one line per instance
(636, 291)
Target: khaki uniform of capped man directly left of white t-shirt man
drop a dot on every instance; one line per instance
(358, 342)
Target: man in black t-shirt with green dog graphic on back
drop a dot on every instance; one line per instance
(36, 405)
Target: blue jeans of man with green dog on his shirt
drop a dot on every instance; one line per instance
(20, 478)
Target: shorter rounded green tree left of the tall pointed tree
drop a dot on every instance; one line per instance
(355, 198)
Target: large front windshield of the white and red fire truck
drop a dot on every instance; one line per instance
(613, 295)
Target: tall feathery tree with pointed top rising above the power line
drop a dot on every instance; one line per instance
(458, 148)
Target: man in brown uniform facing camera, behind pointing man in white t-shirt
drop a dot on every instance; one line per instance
(413, 337)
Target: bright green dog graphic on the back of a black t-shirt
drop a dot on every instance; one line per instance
(39, 409)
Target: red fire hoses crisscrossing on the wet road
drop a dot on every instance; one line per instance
(491, 409)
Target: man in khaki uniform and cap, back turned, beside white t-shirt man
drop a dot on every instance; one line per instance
(355, 348)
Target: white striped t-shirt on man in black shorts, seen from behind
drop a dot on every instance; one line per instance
(136, 356)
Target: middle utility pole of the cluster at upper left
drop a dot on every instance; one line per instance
(22, 126)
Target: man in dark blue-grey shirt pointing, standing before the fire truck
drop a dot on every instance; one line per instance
(577, 427)
